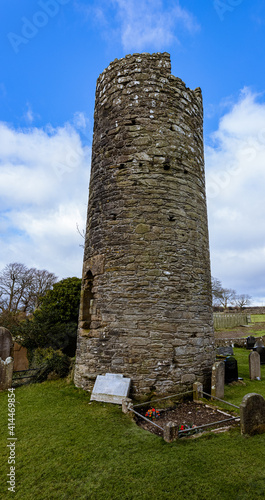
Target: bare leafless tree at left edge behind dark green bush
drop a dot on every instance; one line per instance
(21, 288)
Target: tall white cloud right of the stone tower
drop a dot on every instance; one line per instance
(235, 170)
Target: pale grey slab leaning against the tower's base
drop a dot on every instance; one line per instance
(111, 388)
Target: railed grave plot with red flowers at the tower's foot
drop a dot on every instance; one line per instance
(191, 417)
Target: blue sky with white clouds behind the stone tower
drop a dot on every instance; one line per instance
(52, 52)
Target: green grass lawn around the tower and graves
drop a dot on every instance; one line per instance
(69, 448)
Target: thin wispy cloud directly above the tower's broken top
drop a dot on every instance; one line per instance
(140, 24)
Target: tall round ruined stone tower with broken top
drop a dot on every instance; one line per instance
(146, 294)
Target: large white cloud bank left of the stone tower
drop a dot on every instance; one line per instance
(44, 177)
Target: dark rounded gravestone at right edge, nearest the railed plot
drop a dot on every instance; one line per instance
(252, 414)
